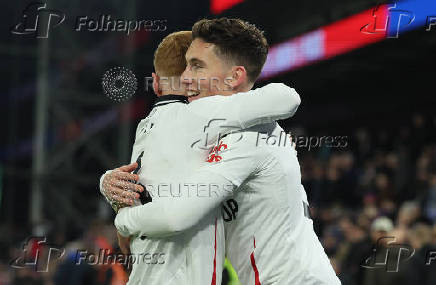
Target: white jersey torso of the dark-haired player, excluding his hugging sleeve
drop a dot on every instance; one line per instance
(269, 234)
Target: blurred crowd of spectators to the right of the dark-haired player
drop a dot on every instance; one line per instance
(378, 193)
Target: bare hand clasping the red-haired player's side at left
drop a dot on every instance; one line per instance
(119, 185)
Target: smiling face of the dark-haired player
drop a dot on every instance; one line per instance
(206, 74)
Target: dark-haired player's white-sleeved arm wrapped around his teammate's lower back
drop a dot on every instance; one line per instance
(172, 215)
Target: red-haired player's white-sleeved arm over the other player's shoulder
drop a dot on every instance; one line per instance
(272, 102)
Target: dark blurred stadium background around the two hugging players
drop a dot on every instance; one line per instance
(359, 78)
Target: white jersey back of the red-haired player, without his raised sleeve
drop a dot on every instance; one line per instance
(163, 149)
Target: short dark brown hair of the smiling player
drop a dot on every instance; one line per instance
(235, 40)
